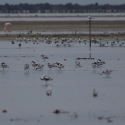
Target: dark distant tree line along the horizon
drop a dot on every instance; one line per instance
(69, 7)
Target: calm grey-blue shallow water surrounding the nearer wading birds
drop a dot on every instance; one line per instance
(23, 94)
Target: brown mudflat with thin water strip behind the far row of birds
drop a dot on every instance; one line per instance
(72, 28)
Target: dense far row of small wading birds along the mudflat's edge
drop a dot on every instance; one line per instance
(67, 42)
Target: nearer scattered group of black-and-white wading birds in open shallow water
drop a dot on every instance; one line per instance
(46, 78)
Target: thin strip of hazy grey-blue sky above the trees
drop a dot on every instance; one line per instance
(83, 2)
